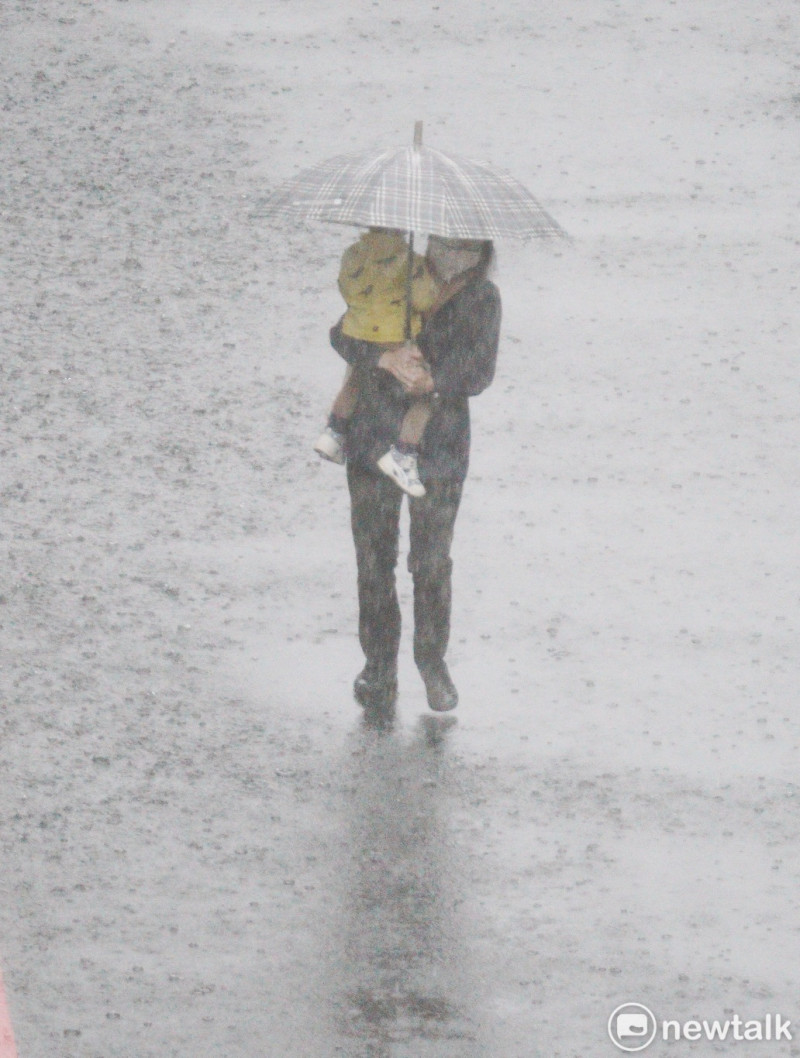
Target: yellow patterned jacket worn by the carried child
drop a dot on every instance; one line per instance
(372, 280)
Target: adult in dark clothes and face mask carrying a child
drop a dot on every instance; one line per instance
(452, 360)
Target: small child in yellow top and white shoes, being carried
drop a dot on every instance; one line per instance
(373, 282)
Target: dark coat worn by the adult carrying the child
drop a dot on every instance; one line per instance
(460, 342)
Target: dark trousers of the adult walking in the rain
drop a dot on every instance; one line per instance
(375, 514)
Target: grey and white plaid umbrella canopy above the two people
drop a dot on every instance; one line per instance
(415, 189)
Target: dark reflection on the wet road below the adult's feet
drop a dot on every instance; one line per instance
(403, 984)
